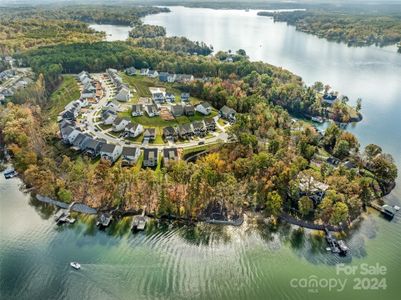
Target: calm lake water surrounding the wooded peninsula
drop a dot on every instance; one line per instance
(212, 262)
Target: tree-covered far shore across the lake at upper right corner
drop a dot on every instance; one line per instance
(353, 29)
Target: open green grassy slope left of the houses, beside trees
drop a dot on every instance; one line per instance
(65, 93)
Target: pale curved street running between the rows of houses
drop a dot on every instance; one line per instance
(101, 134)
